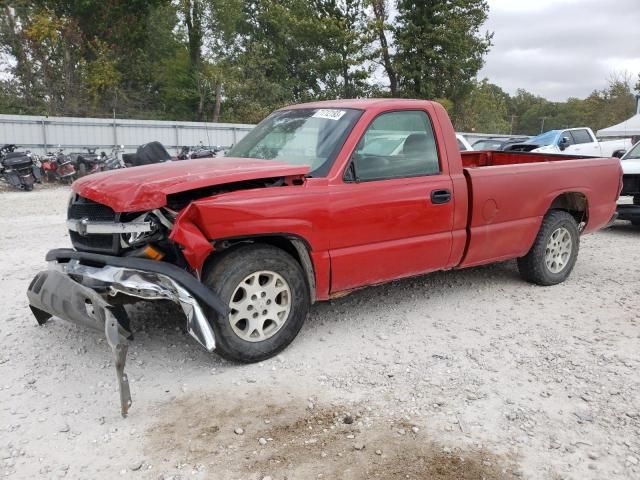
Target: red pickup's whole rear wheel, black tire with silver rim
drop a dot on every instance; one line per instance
(554, 252)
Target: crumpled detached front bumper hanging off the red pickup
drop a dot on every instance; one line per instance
(84, 288)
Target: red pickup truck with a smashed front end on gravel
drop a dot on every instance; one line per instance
(319, 199)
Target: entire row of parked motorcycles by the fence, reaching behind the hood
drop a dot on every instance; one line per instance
(23, 169)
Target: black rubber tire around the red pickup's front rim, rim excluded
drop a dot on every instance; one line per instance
(224, 274)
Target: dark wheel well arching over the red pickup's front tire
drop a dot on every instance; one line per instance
(294, 246)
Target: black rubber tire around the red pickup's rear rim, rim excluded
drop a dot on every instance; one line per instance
(533, 267)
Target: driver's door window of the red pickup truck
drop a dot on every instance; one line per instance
(396, 145)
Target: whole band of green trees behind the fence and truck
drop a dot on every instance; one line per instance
(237, 60)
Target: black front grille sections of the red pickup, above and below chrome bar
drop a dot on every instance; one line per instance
(80, 208)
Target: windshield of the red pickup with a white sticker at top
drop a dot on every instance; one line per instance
(306, 136)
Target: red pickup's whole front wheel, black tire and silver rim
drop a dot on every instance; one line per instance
(267, 295)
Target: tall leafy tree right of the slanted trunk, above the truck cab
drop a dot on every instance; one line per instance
(439, 47)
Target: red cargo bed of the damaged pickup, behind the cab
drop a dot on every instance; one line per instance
(509, 193)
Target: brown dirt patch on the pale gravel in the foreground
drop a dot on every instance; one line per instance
(301, 440)
